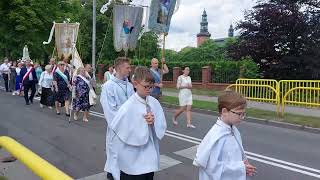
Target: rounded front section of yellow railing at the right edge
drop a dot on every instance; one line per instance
(306, 96)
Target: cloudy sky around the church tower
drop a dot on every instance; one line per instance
(185, 23)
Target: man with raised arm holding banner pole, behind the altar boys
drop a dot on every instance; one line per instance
(156, 73)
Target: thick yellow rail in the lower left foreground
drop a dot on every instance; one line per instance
(36, 164)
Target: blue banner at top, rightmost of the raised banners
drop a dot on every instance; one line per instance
(161, 12)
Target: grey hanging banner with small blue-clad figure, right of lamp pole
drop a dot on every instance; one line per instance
(126, 26)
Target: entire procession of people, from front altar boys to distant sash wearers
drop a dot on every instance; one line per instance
(136, 121)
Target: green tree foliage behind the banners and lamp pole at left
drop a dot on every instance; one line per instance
(28, 22)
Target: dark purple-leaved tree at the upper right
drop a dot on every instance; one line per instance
(283, 37)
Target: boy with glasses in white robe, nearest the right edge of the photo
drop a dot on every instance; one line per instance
(220, 154)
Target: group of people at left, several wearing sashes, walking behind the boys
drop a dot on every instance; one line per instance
(57, 84)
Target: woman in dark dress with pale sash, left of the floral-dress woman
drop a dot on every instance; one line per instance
(62, 87)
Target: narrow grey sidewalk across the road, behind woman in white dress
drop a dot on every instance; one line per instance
(258, 105)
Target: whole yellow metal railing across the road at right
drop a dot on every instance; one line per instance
(288, 92)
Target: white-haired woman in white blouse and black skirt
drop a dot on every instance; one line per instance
(45, 83)
